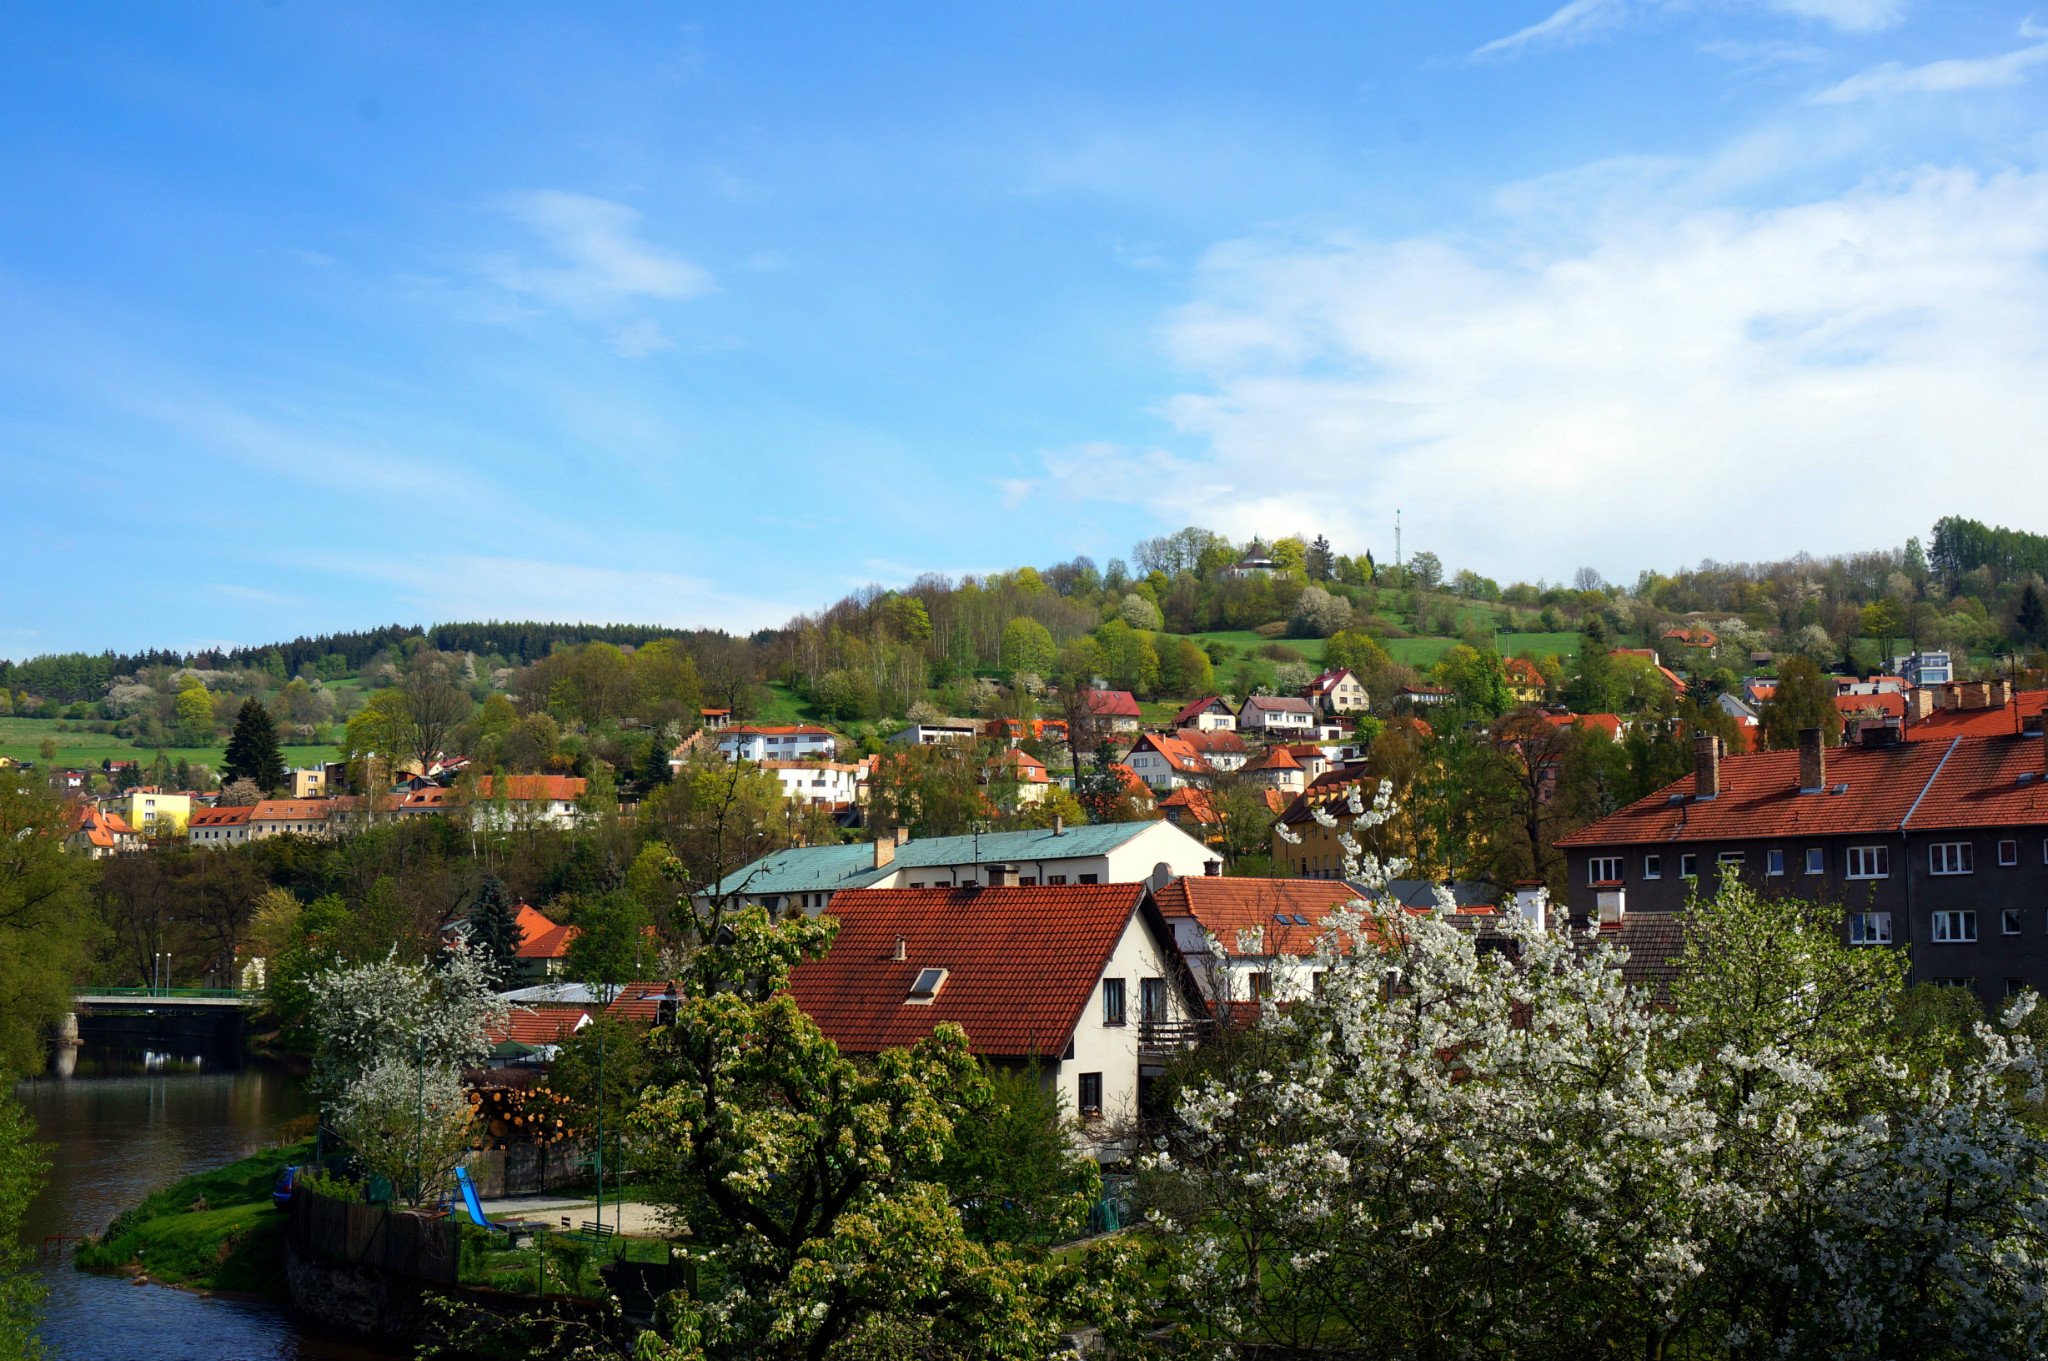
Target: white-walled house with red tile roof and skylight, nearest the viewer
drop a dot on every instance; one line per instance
(1082, 979)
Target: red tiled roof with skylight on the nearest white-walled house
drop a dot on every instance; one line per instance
(1021, 965)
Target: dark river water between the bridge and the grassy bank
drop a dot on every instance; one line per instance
(126, 1123)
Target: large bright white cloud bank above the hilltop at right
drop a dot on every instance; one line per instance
(1689, 382)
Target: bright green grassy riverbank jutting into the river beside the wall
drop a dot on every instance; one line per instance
(212, 1231)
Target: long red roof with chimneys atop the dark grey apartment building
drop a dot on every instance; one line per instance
(1963, 783)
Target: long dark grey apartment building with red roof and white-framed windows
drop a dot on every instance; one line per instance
(1932, 846)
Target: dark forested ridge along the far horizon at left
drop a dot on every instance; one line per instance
(79, 676)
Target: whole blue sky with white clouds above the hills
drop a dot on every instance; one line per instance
(335, 316)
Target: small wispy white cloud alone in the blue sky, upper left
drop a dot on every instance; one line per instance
(605, 263)
